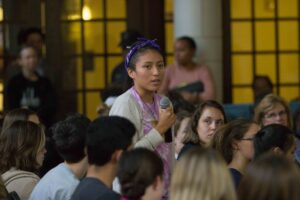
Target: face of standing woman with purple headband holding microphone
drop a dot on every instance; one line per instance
(149, 71)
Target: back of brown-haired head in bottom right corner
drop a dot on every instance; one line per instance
(271, 177)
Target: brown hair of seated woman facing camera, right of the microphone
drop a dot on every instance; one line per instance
(192, 135)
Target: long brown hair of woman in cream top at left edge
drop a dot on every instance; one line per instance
(19, 146)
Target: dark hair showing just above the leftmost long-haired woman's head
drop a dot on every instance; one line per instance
(15, 115)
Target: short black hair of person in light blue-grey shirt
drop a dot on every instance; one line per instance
(69, 137)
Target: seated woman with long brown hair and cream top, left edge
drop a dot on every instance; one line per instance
(22, 149)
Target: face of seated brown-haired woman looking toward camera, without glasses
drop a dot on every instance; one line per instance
(209, 121)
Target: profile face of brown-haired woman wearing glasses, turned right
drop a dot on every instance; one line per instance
(245, 145)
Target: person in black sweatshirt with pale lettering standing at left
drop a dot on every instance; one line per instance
(29, 90)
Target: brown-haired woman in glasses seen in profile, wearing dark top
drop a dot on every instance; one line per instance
(235, 143)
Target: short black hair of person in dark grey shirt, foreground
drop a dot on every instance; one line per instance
(106, 135)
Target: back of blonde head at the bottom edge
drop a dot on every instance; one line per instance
(201, 174)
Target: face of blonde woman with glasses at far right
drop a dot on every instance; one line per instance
(277, 115)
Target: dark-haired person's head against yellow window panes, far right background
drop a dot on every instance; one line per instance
(262, 85)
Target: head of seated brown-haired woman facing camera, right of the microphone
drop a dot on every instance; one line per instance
(206, 119)
